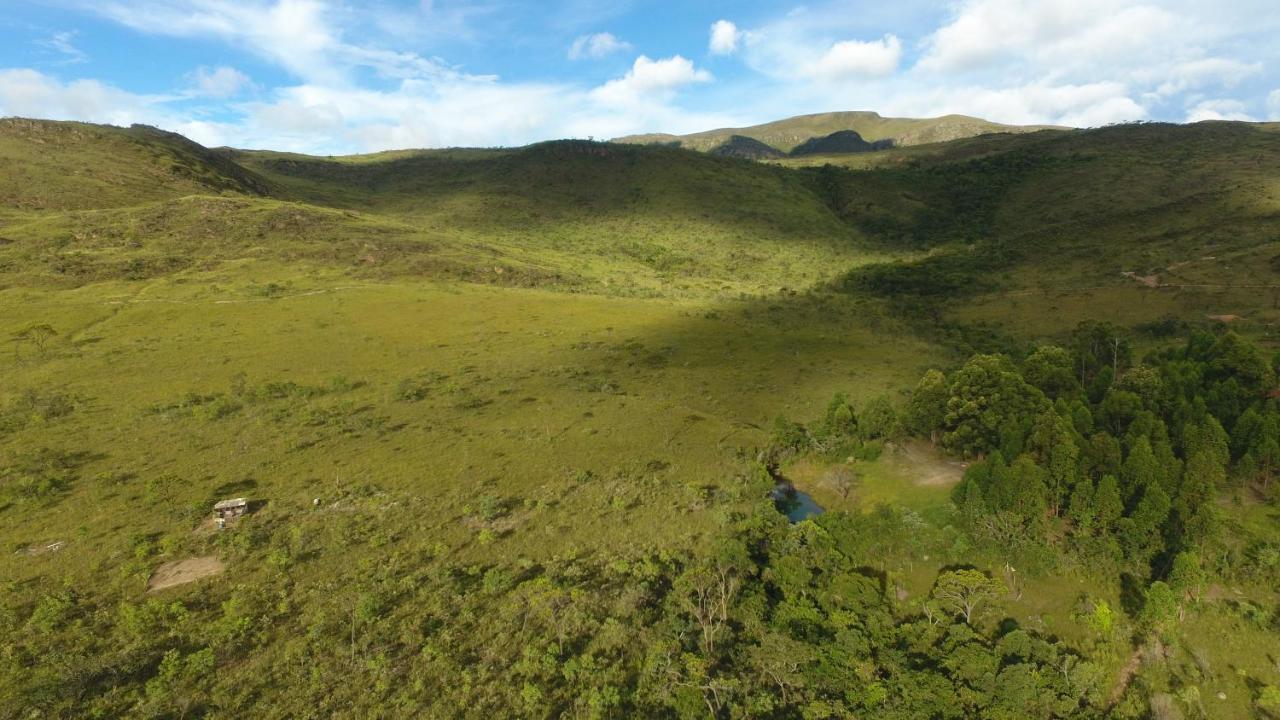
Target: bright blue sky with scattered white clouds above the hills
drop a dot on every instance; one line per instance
(337, 78)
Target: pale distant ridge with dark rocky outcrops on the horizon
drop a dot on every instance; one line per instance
(788, 134)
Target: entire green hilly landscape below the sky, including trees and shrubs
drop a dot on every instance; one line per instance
(509, 423)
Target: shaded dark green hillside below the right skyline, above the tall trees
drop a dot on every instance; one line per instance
(1196, 206)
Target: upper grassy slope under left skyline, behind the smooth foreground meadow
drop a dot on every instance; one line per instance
(606, 218)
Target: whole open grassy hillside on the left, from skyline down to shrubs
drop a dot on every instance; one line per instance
(586, 372)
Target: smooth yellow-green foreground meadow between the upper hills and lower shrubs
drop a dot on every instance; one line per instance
(524, 393)
